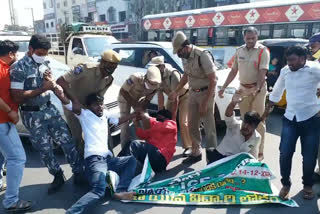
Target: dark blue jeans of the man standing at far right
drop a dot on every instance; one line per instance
(308, 131)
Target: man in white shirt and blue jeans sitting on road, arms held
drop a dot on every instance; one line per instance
(98, 158)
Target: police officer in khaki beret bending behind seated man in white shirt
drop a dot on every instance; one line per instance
(85, 79)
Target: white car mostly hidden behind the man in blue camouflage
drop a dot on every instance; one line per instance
(59, 69)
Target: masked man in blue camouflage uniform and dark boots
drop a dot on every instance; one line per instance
(30, 86)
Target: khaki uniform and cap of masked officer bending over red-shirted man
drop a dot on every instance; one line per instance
(135, 86)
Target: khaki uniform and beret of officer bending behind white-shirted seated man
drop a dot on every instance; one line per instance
(85, 79)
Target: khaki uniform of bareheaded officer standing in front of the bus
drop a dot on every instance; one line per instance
(246, 61)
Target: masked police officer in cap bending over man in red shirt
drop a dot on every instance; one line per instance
(137, 92)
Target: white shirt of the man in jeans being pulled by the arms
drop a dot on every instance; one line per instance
(95, 131)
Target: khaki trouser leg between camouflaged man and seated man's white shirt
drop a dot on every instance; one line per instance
(76, 130)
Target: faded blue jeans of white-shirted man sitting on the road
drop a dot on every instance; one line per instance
(96, 169)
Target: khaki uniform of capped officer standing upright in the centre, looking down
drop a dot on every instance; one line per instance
(198, 84)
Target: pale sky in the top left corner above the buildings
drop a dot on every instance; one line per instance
(23, 14)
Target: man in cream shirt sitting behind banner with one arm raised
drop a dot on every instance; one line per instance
(240, 136)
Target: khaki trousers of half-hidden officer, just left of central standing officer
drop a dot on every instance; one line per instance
(183, 120)
